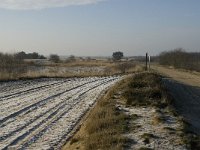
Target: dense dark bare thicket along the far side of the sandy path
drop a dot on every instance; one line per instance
(179, 58)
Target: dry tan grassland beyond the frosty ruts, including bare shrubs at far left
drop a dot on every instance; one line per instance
(13, 68)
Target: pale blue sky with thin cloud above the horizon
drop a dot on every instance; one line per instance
(99, 27)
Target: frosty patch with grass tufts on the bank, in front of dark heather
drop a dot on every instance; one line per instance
(148, 130)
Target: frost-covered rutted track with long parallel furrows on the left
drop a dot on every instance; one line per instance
(41, 113)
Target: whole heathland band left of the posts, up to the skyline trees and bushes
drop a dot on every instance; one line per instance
(33, 65)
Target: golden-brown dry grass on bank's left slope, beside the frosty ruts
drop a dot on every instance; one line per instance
(106, 125)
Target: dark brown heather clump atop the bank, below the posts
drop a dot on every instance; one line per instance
(146, 90)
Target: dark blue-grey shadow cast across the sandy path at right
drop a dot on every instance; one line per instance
(187, 102)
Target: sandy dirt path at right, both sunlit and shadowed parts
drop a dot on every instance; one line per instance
(185, 88)
